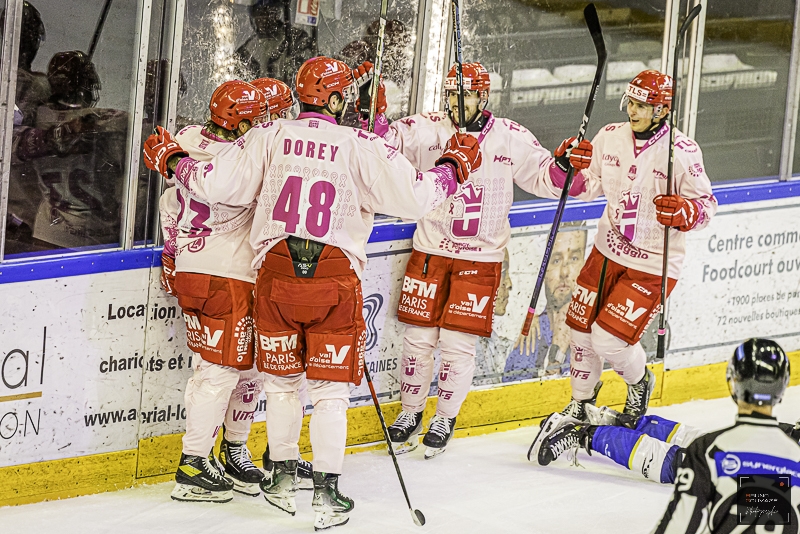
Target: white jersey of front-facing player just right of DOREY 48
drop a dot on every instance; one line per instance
(473, 224)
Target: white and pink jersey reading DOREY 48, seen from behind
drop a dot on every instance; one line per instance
(316, 180)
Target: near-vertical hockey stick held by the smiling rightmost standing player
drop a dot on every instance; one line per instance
(662, 321)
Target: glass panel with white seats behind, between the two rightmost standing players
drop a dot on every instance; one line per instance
(542, 60)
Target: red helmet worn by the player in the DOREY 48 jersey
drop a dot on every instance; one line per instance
(320, 77)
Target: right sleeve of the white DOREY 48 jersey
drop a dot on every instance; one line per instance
(395, 187)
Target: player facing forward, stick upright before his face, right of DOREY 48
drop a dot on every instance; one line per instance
(452, 277)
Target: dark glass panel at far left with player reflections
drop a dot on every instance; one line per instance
(69, 139)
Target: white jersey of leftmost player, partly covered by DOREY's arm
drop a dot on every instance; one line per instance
(213, 238)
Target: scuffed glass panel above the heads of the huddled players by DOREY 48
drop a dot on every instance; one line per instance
(249, 39)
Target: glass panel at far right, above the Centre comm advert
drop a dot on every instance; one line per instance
(743, 87)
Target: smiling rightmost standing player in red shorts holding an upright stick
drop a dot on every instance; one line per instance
(618, 291)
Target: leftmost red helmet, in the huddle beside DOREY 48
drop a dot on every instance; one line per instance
(235, 101)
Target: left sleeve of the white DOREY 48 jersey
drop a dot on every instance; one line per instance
(233, 175)
